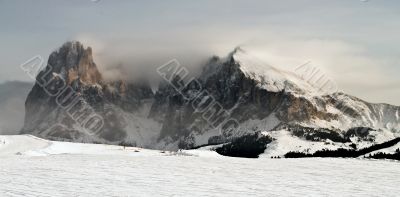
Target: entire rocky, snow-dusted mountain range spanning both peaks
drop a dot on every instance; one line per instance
(261, 98)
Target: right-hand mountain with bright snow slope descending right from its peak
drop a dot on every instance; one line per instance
(261, 98)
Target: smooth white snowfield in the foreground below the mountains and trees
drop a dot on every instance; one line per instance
(34, 167)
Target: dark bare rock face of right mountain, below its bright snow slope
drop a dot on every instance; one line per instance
(240, 95)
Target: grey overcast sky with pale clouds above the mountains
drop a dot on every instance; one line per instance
(357, 42)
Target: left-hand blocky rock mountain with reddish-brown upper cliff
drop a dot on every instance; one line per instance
(72, 78)
